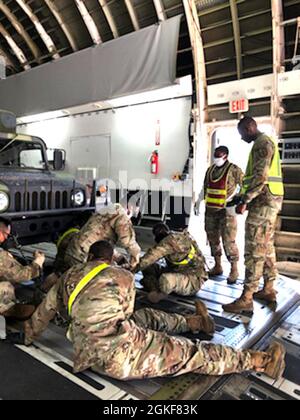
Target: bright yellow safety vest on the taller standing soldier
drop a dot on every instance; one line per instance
(275, 179)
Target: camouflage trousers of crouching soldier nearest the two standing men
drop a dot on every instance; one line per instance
(160, 279)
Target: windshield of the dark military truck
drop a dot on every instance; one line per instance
(21, 154)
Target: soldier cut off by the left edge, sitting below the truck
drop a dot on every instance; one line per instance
(12, 273)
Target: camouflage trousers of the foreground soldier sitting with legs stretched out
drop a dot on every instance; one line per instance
(148, 353)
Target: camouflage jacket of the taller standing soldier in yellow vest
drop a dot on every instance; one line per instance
(258, 193)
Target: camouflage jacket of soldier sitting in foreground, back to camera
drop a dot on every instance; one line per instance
(100, 319)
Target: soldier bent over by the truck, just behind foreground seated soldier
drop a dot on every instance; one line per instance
(111, 224)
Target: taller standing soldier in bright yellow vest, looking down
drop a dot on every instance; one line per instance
(262, 195)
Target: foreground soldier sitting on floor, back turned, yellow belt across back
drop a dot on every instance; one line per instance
(109, 338)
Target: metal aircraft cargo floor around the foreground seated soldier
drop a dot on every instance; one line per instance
(49, 361)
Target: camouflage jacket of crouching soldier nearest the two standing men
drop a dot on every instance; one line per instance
(176, 248)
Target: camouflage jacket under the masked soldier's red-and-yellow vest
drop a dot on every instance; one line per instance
(235, 178)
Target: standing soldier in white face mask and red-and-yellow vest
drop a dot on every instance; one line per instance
(221, 183)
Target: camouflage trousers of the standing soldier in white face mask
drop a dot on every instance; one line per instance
(220, 225)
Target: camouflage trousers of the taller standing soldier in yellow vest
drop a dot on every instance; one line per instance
(260, 253)
